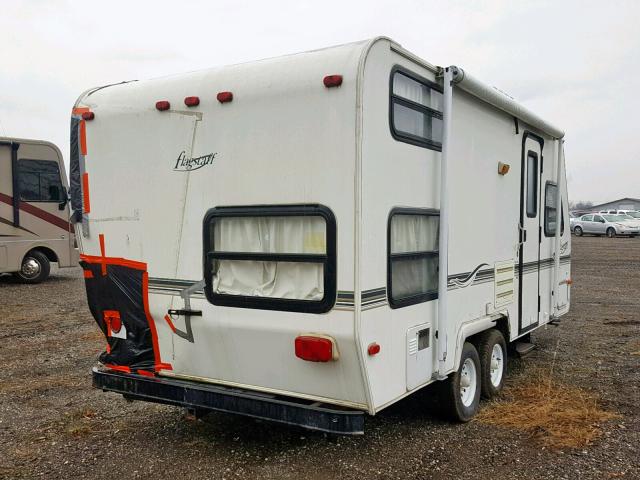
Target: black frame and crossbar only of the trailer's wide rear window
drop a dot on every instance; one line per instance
(328, 259)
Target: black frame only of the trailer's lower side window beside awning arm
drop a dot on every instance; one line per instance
(420, 297)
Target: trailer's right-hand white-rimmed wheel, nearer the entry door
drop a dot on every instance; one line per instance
(492, 349)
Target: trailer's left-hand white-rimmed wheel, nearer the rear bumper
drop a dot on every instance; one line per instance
(460, 392)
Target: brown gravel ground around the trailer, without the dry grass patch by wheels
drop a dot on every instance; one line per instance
(53, 424)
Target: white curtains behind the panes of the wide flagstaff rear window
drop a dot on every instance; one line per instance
(293, 280)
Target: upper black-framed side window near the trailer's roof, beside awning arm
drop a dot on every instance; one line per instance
(415, 110)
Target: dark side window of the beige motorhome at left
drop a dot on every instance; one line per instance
(39, 181)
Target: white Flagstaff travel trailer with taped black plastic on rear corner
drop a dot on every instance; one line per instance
(310, 238)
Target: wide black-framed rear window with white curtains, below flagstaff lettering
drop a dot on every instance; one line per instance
(275, 258)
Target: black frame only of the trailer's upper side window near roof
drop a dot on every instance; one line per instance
(393, 99)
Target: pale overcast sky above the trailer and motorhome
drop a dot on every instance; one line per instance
(576, 63)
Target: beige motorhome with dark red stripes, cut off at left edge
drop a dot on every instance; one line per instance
(34, 213)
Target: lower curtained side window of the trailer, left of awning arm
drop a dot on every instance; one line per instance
(412, 270)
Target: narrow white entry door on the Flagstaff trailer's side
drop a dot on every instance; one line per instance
(529, 252)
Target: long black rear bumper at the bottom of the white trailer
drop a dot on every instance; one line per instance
(203, 396)
